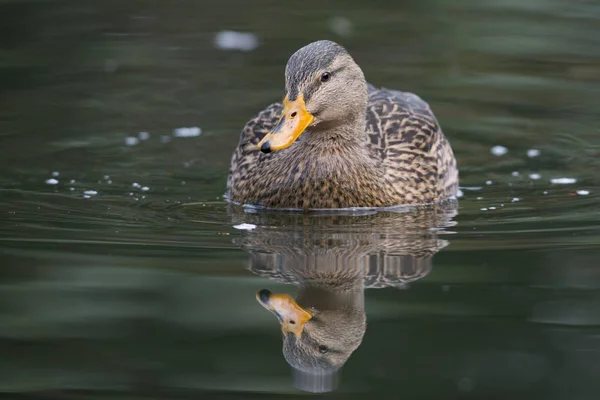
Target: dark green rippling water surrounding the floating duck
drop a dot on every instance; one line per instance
(124, 274)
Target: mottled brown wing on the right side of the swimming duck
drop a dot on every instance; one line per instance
(416, 156)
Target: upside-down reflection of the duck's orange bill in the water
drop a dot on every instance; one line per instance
(291, 316)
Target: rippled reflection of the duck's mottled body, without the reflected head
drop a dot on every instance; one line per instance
(399, 250)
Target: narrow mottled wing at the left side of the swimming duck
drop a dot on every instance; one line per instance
(245, 156)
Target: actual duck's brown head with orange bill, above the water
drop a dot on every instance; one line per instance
(324, 88)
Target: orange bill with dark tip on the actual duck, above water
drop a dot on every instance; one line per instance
(294, 120)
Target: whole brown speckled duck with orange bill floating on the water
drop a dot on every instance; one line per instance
(338, 142)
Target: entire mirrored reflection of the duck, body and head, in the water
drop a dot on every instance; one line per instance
(332, 259)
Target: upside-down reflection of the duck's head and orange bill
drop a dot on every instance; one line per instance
(315, 343)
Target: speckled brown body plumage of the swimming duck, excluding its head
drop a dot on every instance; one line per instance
(402, 158)
